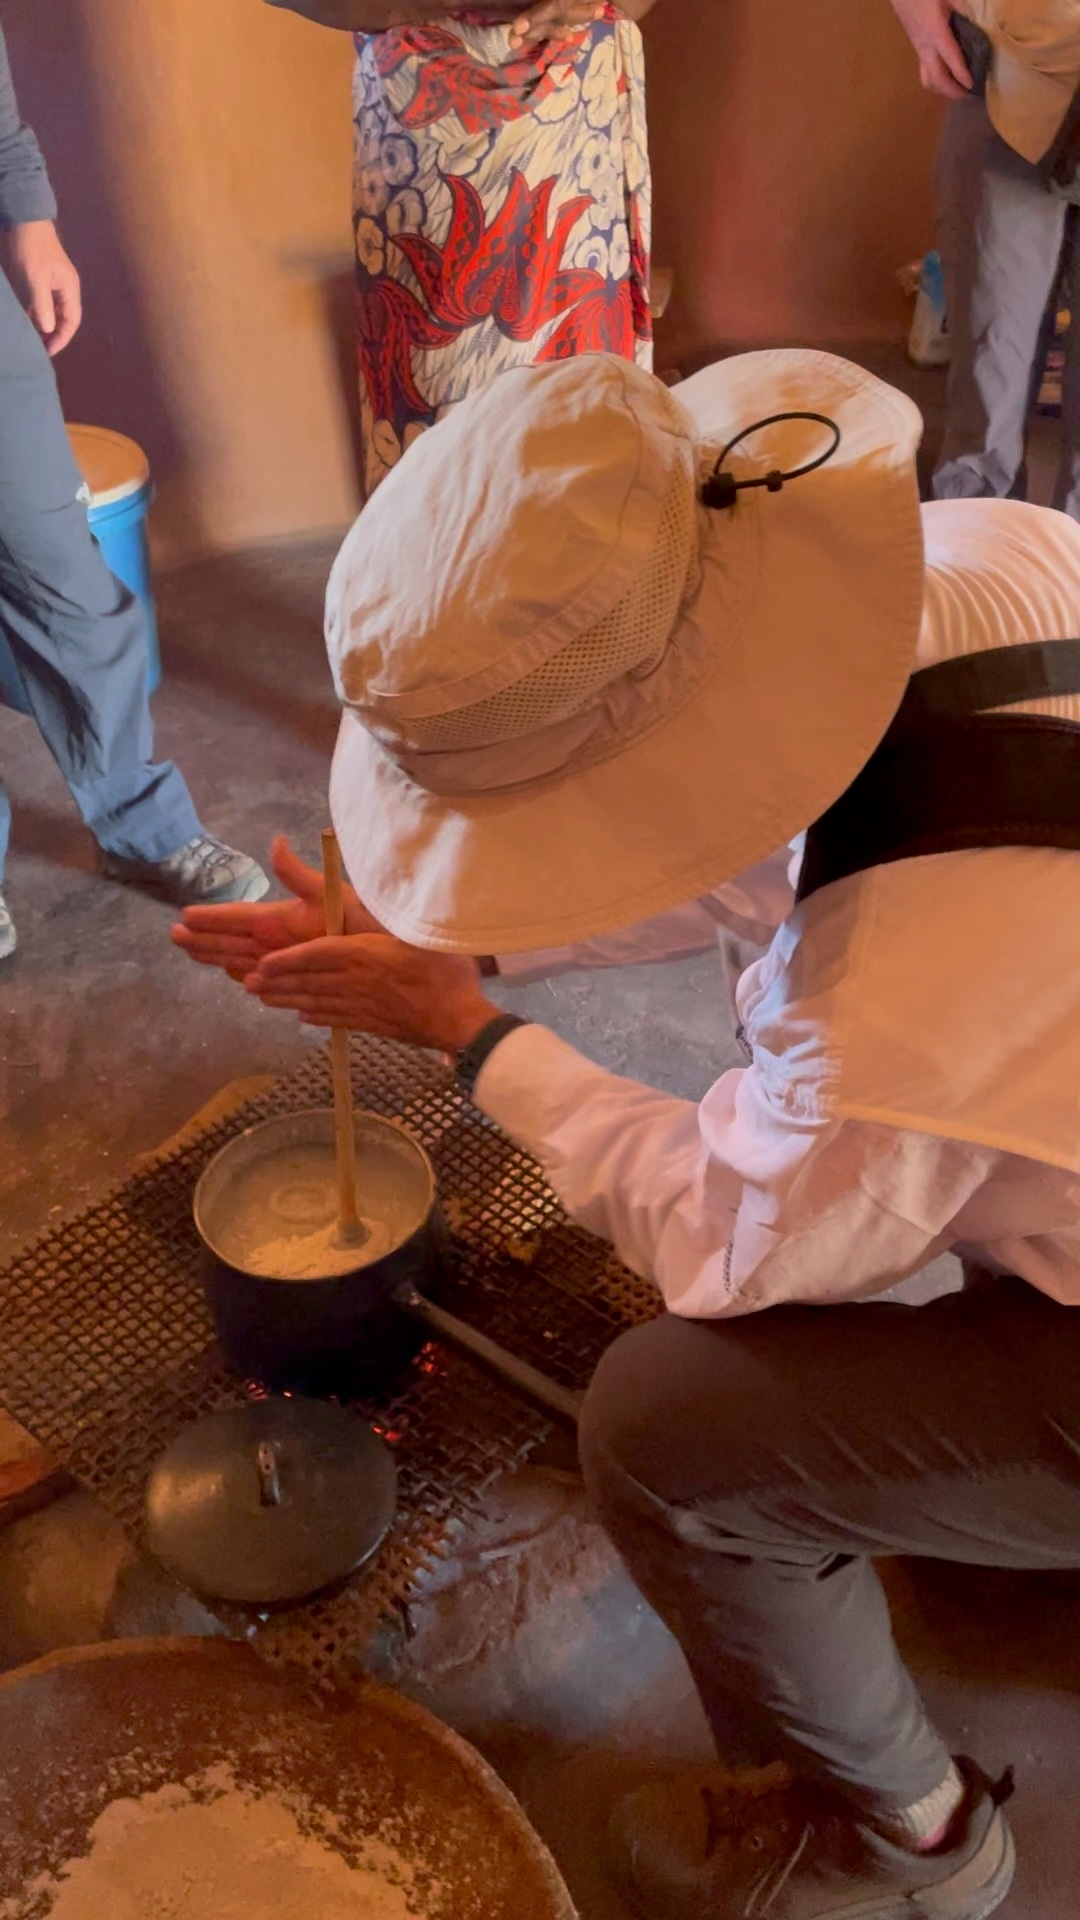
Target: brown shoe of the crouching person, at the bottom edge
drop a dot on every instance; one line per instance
(768, 1848)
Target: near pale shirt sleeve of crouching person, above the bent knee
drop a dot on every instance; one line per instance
(729, 1207)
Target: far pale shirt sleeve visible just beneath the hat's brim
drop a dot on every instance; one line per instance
(750, 907)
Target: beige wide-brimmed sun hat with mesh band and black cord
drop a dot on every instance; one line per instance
(576, 696)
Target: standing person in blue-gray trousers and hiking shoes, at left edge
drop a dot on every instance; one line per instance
(76, 635)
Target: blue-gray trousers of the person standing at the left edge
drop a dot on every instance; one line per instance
(74, 631)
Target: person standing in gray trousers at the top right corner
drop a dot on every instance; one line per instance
(1006, 220)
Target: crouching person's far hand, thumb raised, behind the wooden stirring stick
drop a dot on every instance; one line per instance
(237, 938)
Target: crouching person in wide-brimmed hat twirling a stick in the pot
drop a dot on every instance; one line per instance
(672, 679)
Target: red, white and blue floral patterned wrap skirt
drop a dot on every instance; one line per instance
(503, 212)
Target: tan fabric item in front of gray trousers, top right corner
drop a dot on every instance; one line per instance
(1037, 68)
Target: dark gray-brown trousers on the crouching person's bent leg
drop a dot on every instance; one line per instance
(750, 1470)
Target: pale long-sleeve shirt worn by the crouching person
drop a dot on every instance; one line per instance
(962, 999)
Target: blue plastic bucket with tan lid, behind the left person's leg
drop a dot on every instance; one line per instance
(118, 502)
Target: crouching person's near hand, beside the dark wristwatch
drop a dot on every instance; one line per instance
(378, 986)
